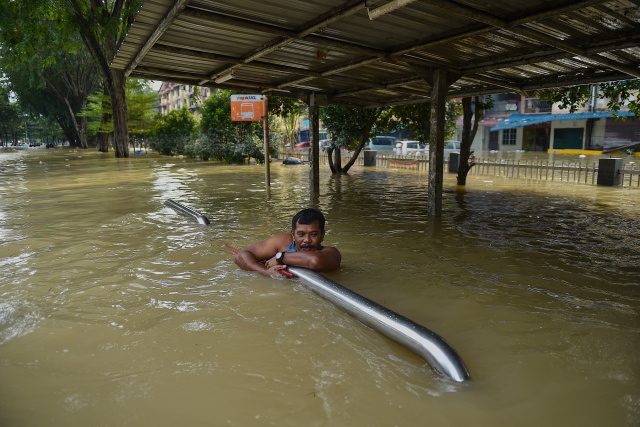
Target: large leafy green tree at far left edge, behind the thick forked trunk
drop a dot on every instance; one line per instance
(50, 71)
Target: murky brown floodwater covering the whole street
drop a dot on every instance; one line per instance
(116, 311)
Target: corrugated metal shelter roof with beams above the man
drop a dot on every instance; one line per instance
(293, 48)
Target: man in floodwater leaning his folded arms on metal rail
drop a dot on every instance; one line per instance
(302, 248)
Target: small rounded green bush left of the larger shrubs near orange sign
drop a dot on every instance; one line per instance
(173, 133)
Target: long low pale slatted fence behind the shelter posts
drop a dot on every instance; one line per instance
(554, 171)
